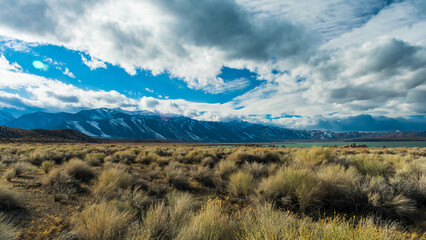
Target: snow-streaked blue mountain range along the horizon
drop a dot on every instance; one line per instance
(121, 124)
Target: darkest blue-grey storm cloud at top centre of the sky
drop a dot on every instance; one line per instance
(227, 26)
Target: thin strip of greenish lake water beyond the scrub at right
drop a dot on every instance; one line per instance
(393, 144)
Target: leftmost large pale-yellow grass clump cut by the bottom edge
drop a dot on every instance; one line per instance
(101, 221)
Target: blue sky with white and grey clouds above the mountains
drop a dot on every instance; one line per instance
(331, 64)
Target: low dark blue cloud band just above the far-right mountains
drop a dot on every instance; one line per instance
(370, 123)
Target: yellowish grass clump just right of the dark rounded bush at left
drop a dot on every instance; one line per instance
(110, 182)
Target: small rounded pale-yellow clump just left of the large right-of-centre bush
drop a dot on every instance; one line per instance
(241, 184)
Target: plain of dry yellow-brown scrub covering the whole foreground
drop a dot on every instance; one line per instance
(129, 191)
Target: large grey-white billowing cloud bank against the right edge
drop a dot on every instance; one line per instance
(374, 75)
